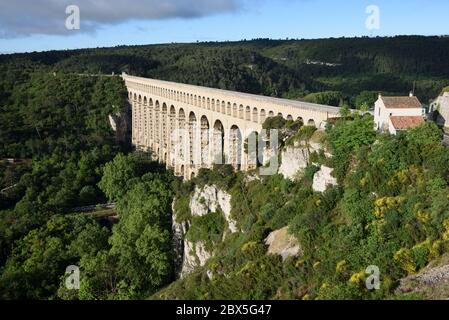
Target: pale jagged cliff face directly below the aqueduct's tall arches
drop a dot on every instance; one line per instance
(210, 199)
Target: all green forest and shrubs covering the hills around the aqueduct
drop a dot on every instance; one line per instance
(390, 208)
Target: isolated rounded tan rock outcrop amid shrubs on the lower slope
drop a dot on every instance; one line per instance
(280, 242)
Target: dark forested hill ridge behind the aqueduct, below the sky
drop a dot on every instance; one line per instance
(358, 68)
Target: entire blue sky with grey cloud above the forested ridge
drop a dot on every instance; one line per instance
(175, 21)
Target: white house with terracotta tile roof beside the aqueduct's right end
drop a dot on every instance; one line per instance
(394, 114)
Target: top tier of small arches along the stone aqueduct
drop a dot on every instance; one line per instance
(242, 106)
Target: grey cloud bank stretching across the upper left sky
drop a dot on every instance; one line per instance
(26, 17)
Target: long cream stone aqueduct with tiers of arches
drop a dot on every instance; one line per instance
(174, 120)
